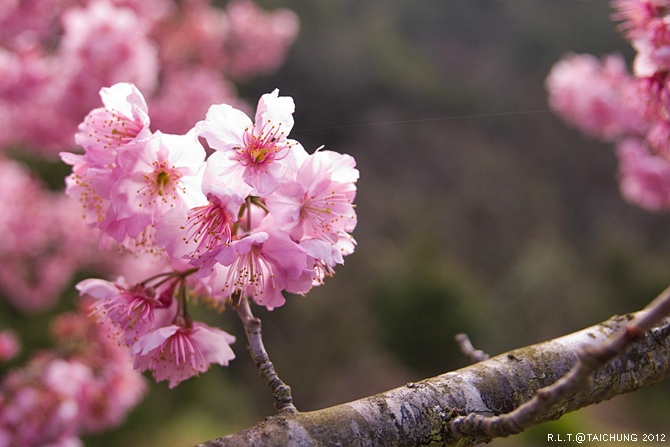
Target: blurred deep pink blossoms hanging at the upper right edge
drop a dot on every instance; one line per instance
(602, 99)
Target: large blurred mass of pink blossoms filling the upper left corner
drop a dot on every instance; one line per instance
(184, 52)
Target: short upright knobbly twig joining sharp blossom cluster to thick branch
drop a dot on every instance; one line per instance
(256, 349)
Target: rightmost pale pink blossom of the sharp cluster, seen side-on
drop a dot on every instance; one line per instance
(319, 203)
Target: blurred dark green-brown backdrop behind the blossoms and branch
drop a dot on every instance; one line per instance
(479, 211)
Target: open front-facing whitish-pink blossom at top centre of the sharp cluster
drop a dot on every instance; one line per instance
(260, 153)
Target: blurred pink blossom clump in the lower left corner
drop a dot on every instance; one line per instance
(85, 386)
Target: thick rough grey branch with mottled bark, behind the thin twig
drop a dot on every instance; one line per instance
(419, 414)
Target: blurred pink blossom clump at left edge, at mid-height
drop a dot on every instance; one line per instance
(44, 240)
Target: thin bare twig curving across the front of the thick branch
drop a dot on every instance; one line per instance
(589, 360)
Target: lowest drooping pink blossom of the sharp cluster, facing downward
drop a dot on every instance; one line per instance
(176, 353)
